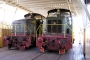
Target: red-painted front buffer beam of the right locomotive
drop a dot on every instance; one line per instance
(54, 42)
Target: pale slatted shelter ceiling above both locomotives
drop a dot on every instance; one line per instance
(42, 6)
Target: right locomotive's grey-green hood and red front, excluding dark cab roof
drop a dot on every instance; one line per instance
(57, 34)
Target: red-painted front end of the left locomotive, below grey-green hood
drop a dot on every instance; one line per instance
(20, 40)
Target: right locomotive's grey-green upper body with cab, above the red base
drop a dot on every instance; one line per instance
(58, 18)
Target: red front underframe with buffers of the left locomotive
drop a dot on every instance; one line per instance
(21, 42)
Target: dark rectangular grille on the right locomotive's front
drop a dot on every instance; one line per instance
(54, 26)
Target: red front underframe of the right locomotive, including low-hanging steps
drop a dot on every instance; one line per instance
(61, 44)
